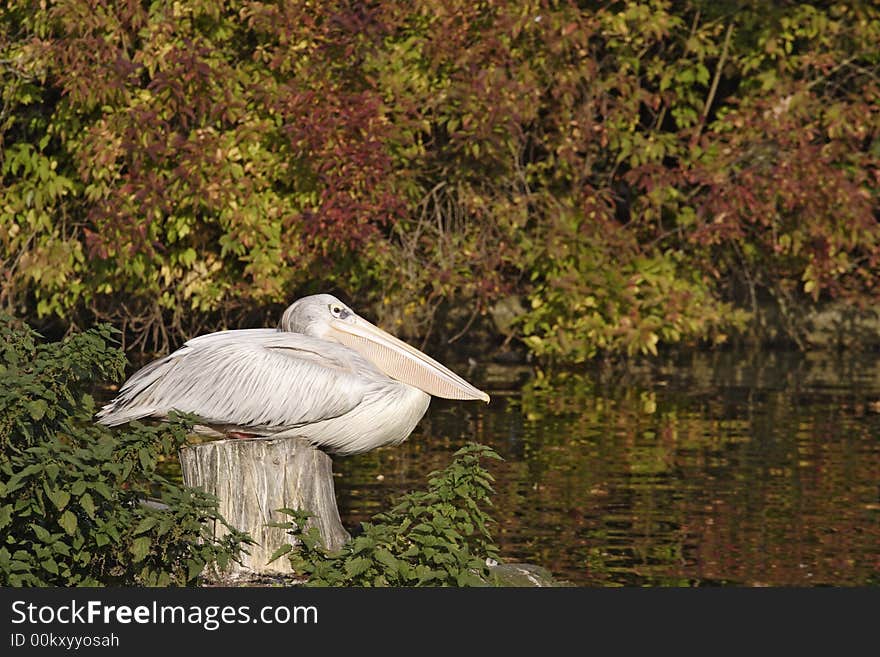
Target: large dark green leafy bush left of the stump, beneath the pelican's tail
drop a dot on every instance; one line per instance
(79, 506)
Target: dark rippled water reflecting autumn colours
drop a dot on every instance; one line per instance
(703, 469)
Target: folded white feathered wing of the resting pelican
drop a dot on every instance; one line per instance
(255, 380)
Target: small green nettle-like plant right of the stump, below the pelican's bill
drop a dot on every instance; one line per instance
(436, 537)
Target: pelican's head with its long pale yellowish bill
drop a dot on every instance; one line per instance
(326, 317)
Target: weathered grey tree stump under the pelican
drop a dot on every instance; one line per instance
(254, 478)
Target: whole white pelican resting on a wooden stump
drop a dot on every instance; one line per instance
(325, 374)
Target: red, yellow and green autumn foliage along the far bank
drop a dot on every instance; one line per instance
(638, 173)
